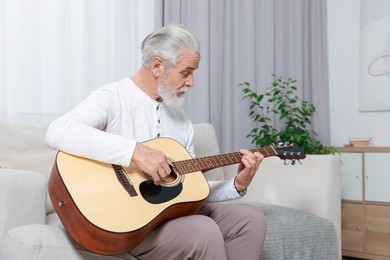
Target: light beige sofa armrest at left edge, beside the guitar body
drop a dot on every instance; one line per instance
(22, 199)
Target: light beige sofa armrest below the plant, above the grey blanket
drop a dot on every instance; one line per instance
(312, 187)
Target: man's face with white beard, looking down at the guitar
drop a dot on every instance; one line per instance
(178, 79)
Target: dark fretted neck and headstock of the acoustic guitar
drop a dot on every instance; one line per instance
(210, 162)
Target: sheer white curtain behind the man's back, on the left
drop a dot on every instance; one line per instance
(54, 52)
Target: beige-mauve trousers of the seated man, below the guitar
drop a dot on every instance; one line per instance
(218, 232)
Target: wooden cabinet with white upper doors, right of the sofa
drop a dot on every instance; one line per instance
(365, 196)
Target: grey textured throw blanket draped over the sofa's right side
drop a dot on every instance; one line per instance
(295, 235)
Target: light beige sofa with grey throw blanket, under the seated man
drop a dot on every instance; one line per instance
(301, 203)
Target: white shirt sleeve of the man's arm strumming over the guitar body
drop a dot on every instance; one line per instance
(80, 132)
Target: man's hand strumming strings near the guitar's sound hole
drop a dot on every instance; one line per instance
(151, 161)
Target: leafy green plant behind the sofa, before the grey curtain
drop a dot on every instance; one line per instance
(279, 105)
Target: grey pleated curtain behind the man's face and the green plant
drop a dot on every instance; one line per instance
(248, 40)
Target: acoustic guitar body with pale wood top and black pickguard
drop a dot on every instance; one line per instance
(110, 213)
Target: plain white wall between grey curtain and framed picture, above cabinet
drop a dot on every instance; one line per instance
(346, 120)
